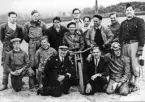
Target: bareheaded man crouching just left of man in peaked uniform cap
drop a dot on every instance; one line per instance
(44, 53)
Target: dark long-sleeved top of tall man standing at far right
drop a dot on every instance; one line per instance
(133, 29)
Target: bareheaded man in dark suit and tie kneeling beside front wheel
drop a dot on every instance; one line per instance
(96, 72)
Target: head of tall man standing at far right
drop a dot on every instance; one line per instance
(129, 10)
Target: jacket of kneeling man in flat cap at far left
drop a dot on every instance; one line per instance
(17, 60)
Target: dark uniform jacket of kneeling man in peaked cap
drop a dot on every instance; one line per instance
(54, 67)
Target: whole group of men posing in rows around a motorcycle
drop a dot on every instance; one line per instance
(111, 66)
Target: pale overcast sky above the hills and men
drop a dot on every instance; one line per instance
(51, 6)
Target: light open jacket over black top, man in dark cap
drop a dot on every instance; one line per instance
(106, 33)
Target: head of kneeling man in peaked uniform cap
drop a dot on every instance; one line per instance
(63, 50)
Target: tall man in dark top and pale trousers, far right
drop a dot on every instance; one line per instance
(132, 39)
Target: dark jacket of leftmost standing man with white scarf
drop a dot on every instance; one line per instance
(7, 34)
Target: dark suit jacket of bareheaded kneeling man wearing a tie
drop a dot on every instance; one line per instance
(90, 69)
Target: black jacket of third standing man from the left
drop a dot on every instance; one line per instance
(55, 38)
